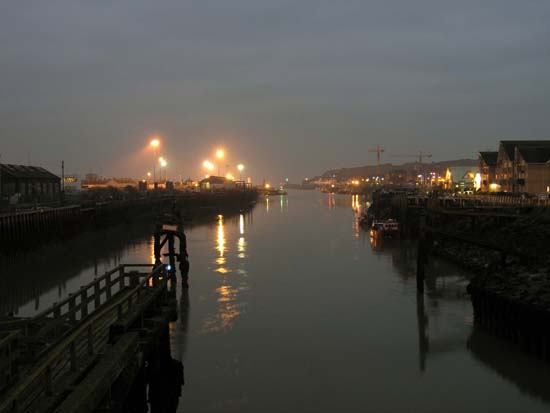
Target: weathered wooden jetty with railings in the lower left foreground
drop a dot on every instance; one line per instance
(94, 349)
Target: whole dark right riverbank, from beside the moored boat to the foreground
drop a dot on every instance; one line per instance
(507, 250)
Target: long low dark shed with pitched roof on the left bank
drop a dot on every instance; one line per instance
(21, 183)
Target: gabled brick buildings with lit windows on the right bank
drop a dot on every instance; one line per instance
(518, 166)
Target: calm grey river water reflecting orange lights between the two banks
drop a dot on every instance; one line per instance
(292, 307)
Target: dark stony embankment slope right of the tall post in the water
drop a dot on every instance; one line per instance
(510, 292)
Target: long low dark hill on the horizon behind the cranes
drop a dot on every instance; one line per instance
(372, 170)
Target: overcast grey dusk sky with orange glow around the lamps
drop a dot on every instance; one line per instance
(289, 88)
